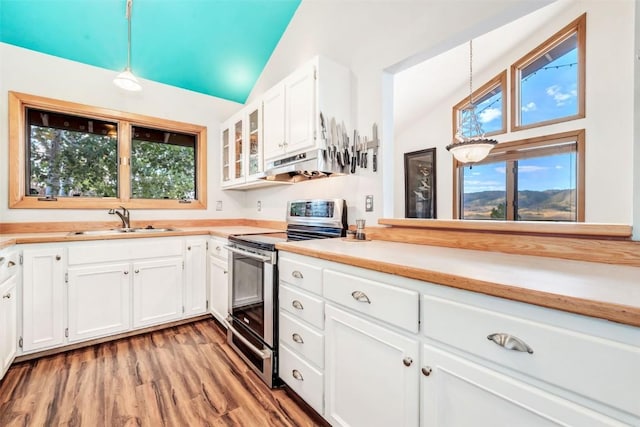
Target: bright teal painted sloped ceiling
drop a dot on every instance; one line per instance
(215, 47)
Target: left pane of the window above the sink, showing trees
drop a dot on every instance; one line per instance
(71, 156)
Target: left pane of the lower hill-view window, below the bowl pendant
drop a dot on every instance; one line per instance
(484, 191)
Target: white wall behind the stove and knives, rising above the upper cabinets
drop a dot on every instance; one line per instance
(370, 38)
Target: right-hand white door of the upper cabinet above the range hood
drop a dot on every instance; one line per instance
(300, 101)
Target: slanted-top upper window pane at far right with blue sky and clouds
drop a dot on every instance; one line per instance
(549, 85)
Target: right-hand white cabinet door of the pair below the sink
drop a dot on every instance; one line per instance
(157, 291)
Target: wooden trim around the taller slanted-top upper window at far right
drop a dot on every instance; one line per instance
(579, 27)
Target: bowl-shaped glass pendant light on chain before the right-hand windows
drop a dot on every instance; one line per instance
(474, 147)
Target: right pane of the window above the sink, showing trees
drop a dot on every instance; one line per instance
(163, 164)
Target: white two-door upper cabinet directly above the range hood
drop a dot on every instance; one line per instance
(291, 109)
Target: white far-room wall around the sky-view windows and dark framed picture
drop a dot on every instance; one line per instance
(609, 102)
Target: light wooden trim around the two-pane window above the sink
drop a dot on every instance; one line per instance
(17, 156)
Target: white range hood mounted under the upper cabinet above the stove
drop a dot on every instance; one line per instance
(302, 167)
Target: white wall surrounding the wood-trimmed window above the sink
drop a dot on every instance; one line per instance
(26, 71)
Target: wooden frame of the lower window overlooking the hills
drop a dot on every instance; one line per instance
(516, 150)
